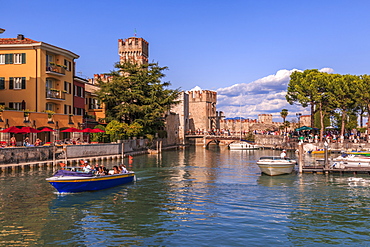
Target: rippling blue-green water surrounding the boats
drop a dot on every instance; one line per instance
(192, 197)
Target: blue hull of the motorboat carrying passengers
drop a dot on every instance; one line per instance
(81, 184)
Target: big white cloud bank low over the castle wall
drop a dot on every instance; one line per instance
(265, 95)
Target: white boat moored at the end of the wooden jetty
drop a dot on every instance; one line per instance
(275, 165)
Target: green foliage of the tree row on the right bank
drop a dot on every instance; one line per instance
(330, 94)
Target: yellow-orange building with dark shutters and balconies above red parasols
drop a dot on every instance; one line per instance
(36, 77)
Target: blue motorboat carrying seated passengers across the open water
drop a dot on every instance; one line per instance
(77, 179)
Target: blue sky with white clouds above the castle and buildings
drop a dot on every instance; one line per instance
(211, 44)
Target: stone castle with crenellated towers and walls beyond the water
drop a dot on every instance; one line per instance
(196, 113)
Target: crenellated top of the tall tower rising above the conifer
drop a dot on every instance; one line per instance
(134, 50)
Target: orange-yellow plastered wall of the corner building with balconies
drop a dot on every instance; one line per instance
(36, 71)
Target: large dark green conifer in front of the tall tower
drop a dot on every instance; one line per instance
(135, 94)
